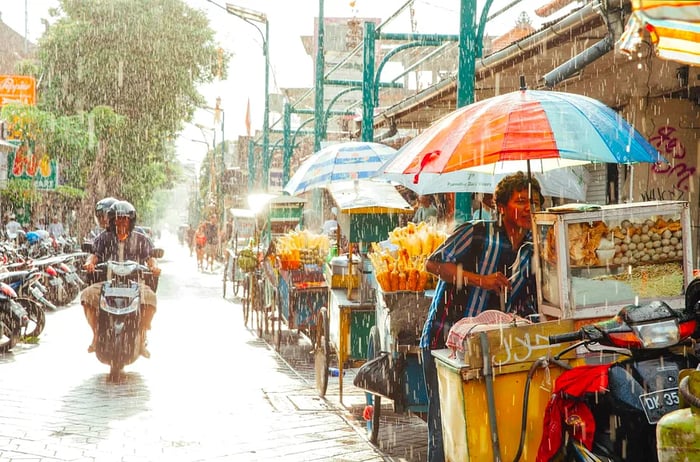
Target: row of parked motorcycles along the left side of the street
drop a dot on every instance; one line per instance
(35, 277)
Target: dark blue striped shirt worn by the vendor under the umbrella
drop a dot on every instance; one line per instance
(482, 248)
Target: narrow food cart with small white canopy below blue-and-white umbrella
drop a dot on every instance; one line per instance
(368, 210)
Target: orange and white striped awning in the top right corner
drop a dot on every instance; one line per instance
(673, 27)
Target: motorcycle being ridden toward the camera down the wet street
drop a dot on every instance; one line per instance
(119, 315)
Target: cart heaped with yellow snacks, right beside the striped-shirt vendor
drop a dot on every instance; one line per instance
(404, 294)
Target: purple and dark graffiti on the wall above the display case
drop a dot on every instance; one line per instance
(676, 171)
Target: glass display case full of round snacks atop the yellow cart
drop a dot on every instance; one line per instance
(591, 263)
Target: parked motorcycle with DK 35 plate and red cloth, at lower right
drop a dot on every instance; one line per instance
(608, 411)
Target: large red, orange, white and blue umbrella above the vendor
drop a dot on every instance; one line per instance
(526, 130)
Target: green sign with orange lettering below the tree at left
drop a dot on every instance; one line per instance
(36, 166)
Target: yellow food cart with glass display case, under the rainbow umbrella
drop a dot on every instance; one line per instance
(590, 261)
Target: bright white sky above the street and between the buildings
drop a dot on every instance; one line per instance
(290, 65)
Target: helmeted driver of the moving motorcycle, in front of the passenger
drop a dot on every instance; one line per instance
(137, 247)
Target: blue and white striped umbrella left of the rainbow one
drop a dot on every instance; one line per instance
(352, 160)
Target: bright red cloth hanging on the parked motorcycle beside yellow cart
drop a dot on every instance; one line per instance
(573, 383)
